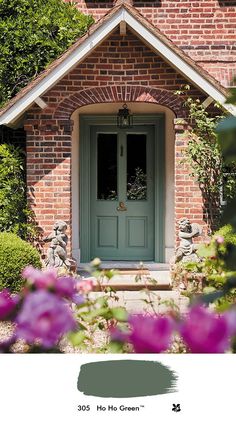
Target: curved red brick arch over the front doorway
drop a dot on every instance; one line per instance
(118, 93)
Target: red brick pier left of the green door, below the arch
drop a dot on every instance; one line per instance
(48, 169)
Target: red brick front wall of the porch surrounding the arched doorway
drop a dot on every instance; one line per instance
(120, 69)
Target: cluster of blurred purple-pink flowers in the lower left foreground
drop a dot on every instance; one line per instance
(41, 312)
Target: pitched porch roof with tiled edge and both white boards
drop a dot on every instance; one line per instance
(84, 46)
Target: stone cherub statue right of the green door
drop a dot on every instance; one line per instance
(186, 252)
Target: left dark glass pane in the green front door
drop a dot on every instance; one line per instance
(107, 166)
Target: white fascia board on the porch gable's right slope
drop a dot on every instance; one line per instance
(176, 61)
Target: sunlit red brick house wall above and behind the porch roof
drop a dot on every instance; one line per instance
(203, 29)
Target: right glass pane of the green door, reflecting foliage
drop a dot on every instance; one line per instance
(136, 167)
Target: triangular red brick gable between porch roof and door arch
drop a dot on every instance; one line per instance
(119, 60)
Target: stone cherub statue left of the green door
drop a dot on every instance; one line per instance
(57, 256)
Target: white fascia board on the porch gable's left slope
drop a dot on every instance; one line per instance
(63, 68)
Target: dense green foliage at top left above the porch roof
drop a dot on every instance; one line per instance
(32, 34)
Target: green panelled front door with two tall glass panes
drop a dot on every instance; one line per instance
(122, 193)
